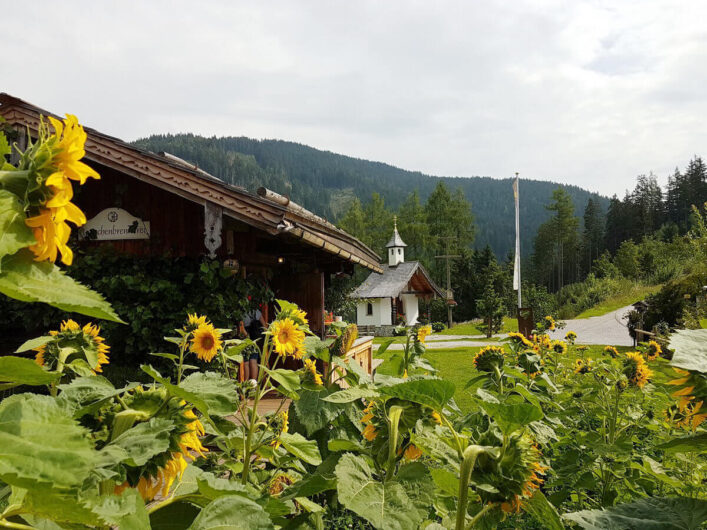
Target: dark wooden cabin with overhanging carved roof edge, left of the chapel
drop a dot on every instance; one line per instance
(157, 204)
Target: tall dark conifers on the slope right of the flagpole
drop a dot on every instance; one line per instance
(567, 248)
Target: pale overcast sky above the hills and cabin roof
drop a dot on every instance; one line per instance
(589, 93)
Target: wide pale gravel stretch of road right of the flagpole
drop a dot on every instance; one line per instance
(605, 329)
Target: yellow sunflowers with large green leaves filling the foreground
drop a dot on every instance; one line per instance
(552, 438)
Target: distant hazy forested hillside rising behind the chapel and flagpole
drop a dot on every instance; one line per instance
(326, 182)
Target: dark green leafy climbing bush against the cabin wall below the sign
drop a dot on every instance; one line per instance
(150, 293)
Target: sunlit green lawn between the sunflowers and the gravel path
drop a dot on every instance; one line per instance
(456, 365)
